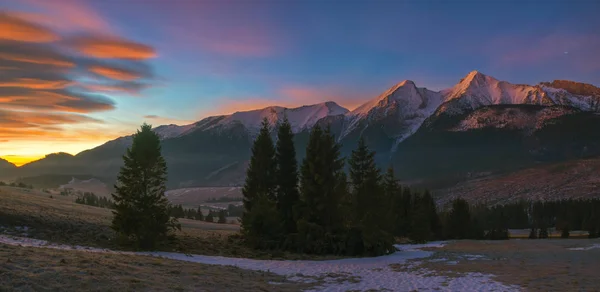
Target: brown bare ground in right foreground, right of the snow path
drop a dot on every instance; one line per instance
(536, 265)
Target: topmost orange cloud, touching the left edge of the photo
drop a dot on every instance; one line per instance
(16, 29)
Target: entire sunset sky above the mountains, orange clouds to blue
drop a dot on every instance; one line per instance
(75, 74)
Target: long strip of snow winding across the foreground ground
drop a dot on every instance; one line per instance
(370, 273)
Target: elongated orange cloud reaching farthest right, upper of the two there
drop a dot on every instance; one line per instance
(106, 47)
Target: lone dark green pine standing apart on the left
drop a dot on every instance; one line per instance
(141, 208)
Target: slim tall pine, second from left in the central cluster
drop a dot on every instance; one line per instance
(287, 176)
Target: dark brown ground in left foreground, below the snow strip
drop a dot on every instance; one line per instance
(43, 269)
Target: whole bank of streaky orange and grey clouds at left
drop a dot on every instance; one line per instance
(50, 82)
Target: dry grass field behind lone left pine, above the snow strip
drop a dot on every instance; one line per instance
(58, 219)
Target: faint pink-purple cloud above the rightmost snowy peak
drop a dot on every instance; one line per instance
(579, 52)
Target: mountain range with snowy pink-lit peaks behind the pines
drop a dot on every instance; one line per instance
(480, 126)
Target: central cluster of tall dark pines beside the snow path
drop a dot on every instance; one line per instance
(320, 209)
